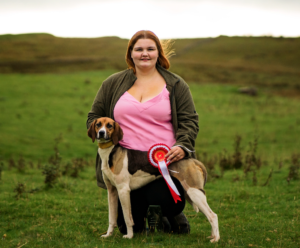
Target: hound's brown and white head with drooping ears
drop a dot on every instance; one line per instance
(105, 130)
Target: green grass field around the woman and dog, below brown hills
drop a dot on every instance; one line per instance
(36, 110)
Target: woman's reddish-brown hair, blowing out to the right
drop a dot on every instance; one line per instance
(165, 50)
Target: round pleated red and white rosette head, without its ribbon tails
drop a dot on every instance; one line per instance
(157, 154)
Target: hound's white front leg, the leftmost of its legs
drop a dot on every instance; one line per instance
(112, 208)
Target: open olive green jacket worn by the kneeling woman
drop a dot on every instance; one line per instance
(184, 116)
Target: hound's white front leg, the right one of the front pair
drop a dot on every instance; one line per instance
(124, 196)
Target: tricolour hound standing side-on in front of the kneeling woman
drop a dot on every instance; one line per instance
(125, 170)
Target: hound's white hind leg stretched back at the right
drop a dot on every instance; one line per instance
(199, 199)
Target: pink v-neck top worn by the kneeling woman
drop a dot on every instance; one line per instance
(145, 124)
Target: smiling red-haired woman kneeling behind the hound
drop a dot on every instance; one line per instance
(152, 105)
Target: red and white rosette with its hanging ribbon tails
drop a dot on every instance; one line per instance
(156, 157)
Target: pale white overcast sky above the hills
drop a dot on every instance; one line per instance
(166, 18)
